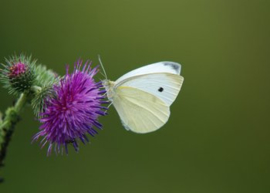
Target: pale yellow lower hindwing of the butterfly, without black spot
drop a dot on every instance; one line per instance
(140, 111)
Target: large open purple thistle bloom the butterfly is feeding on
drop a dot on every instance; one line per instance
(73, 111)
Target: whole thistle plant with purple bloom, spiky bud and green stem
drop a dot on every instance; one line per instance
(68, 108)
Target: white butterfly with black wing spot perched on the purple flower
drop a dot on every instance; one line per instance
(143, 96)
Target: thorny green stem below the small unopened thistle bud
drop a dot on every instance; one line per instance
(7, 126)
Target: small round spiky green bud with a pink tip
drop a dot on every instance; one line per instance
(17, 74)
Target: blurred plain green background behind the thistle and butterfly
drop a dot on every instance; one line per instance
(217, 138)
